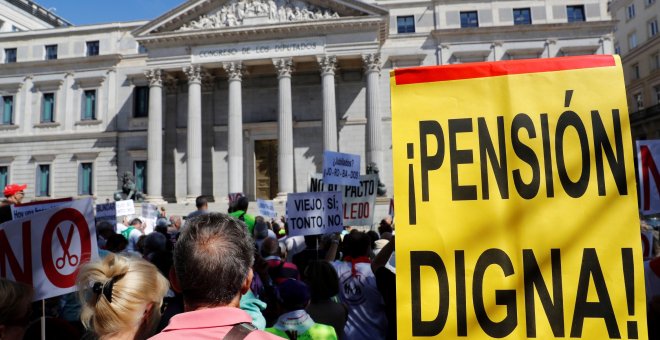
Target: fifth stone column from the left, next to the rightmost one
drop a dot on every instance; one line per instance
(328, 66)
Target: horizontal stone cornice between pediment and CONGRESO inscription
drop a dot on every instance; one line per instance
(246, 33)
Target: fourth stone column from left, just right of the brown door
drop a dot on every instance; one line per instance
(284, 127)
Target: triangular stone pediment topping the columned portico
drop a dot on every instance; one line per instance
(205, 15)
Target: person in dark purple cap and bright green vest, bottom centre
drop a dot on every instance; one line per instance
(294, 323)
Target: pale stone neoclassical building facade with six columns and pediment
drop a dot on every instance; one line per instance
(223, 96)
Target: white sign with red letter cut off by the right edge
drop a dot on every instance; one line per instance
(648, 156)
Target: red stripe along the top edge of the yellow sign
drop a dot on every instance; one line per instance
(500, 68)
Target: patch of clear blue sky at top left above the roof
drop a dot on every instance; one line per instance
(84, 12)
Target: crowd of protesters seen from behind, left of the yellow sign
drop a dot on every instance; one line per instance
(215, 275)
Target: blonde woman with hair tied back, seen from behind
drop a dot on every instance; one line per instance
(121, 297)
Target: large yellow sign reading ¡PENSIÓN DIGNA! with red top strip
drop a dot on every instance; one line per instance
(516, 201)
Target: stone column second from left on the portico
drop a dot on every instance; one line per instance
(194, 132)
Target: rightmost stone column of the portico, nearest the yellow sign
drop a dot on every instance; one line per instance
(374, 124)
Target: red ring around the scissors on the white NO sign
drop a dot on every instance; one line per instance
(67, 214)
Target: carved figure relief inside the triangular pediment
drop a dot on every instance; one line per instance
(242, 12)
